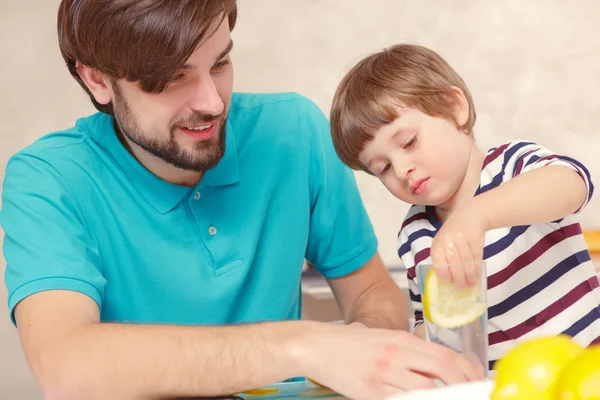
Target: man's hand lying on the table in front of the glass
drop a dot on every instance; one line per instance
(374, 363)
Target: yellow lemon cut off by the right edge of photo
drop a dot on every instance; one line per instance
(580, 379)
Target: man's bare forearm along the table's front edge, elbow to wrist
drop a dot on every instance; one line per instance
(141, 361)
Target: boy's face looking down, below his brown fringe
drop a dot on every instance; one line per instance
(420, 159)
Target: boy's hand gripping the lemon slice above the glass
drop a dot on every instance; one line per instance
(458, 247)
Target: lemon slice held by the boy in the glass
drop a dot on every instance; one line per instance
(448, 307)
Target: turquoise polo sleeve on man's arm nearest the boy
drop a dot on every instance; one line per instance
(341, 238)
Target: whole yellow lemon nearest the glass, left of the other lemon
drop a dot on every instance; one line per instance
(530, 369)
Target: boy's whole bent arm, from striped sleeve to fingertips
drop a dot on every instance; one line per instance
(538, 187)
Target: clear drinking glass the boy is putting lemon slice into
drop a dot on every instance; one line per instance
(470, 339)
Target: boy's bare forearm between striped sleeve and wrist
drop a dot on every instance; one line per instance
(538, 196)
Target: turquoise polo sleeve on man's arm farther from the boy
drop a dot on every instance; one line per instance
(46, 244)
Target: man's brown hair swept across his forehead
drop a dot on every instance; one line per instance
(144, 41)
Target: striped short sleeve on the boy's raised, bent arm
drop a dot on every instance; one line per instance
(521, 157)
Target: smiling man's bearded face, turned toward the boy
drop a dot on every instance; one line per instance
(185, 124)
